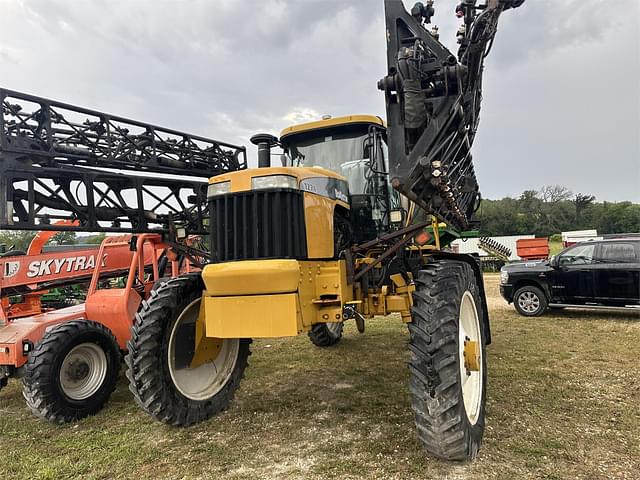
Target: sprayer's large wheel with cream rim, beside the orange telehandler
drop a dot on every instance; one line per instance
(161, 351)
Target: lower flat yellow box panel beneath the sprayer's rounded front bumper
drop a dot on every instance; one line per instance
(255, 316)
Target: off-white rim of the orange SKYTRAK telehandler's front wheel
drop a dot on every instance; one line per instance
(83, 371)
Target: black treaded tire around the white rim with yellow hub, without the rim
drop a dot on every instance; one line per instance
(437, 401)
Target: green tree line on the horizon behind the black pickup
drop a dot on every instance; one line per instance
(554, 209)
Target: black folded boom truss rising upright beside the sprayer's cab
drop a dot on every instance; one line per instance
(433, 104)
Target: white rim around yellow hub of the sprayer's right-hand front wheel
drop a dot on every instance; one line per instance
(471, 382)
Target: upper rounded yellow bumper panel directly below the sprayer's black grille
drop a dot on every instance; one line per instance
(251, 277)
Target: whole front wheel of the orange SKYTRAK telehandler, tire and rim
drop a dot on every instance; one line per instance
(72, 371)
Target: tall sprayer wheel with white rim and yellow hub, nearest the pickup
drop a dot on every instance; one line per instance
(448, 366)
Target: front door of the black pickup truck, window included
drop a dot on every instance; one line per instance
(572, 280)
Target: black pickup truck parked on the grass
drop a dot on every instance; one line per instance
(601, 273)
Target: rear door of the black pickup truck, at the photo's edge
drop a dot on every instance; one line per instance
(617, 272)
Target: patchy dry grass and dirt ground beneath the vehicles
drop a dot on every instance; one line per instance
(563, 403)
